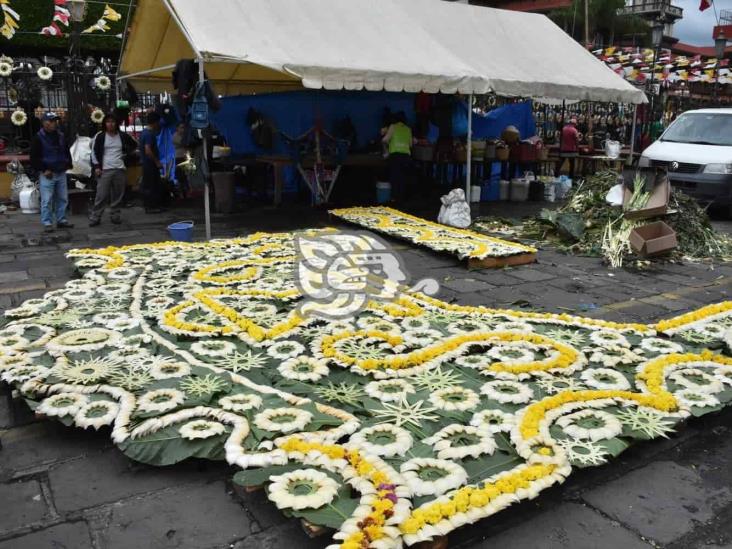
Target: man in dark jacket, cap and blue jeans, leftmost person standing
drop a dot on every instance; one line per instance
(50, 157)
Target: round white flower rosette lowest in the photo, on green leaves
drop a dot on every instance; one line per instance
(302, 489)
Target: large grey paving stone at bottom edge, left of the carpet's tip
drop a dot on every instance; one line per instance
(194, 516)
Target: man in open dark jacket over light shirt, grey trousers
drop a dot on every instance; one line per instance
(110, 155)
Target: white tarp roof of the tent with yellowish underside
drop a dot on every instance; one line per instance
(394, 45)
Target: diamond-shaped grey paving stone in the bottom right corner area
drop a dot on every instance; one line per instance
(662, 501)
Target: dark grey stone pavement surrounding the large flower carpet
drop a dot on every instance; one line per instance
(66, 488)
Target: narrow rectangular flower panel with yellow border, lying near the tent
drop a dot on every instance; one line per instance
(463, 243)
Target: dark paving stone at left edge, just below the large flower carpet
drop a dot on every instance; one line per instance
(34, 447)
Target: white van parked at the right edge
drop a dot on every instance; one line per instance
(696, 149)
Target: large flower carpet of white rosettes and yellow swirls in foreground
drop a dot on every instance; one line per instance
(397, 426)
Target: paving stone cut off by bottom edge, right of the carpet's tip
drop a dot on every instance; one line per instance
(568, 526)
